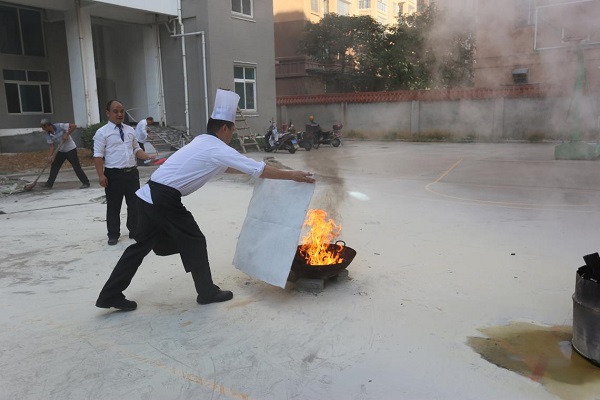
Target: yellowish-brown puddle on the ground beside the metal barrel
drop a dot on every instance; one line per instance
(542, 354)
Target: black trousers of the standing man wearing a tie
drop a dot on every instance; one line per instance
(122, 183)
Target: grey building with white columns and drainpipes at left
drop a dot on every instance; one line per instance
(64, 60)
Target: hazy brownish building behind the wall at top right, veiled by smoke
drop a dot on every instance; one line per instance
(535, 42)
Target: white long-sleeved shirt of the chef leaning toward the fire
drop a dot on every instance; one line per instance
(192, 166)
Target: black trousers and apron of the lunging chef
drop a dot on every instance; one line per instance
(165, 220)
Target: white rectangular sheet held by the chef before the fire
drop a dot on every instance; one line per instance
(272, 228)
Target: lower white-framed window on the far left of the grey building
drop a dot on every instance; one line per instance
(27, 91)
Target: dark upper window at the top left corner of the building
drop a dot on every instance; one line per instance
(21, 31)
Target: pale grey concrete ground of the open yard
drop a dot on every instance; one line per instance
(461, 287)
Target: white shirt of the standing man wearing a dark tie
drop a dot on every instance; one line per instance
(117, 153)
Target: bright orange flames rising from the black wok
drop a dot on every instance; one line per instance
(316, 243)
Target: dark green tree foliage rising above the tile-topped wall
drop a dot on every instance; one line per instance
(355, 53)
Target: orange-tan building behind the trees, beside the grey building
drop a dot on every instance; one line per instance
(290, 18)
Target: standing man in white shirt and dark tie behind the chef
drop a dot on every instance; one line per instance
(115, 152)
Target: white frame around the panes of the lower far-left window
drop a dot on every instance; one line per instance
(44, 90)
